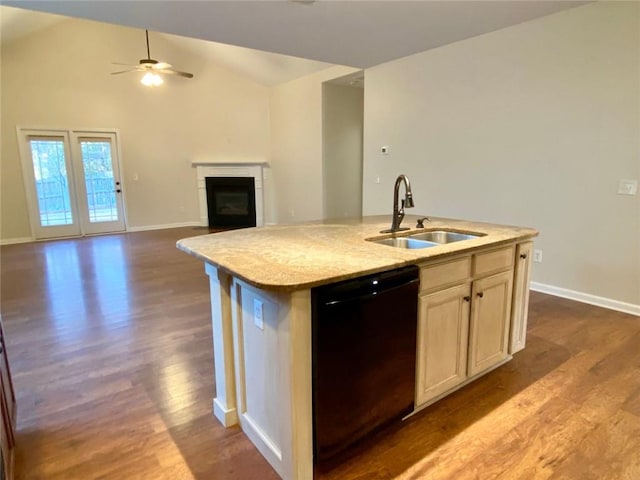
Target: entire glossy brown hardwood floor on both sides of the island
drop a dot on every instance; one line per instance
(110, 343)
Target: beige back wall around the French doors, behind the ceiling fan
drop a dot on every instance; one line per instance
(60, 77)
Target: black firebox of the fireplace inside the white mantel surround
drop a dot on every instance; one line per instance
(231, 202)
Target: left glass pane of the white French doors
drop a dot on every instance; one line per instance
(52, 184)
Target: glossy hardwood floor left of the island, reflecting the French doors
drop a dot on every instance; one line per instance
(110, 343)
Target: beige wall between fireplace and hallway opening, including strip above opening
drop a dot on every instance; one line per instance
(296, 145)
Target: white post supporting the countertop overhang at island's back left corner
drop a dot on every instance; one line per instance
(224, 404)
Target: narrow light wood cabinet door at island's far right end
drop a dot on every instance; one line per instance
(520, 309)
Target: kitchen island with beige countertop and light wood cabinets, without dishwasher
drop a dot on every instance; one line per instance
(472, 309)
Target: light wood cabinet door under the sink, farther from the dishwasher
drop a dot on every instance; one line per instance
(490, 320)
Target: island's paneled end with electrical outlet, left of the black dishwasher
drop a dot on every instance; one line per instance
(272, 344)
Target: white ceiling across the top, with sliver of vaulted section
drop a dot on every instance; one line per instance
(357, 33)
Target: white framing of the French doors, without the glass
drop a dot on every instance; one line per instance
(69, 134)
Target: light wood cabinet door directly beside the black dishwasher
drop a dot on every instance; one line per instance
(443, 325)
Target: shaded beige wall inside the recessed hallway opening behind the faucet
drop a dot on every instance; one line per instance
(342, 125)
